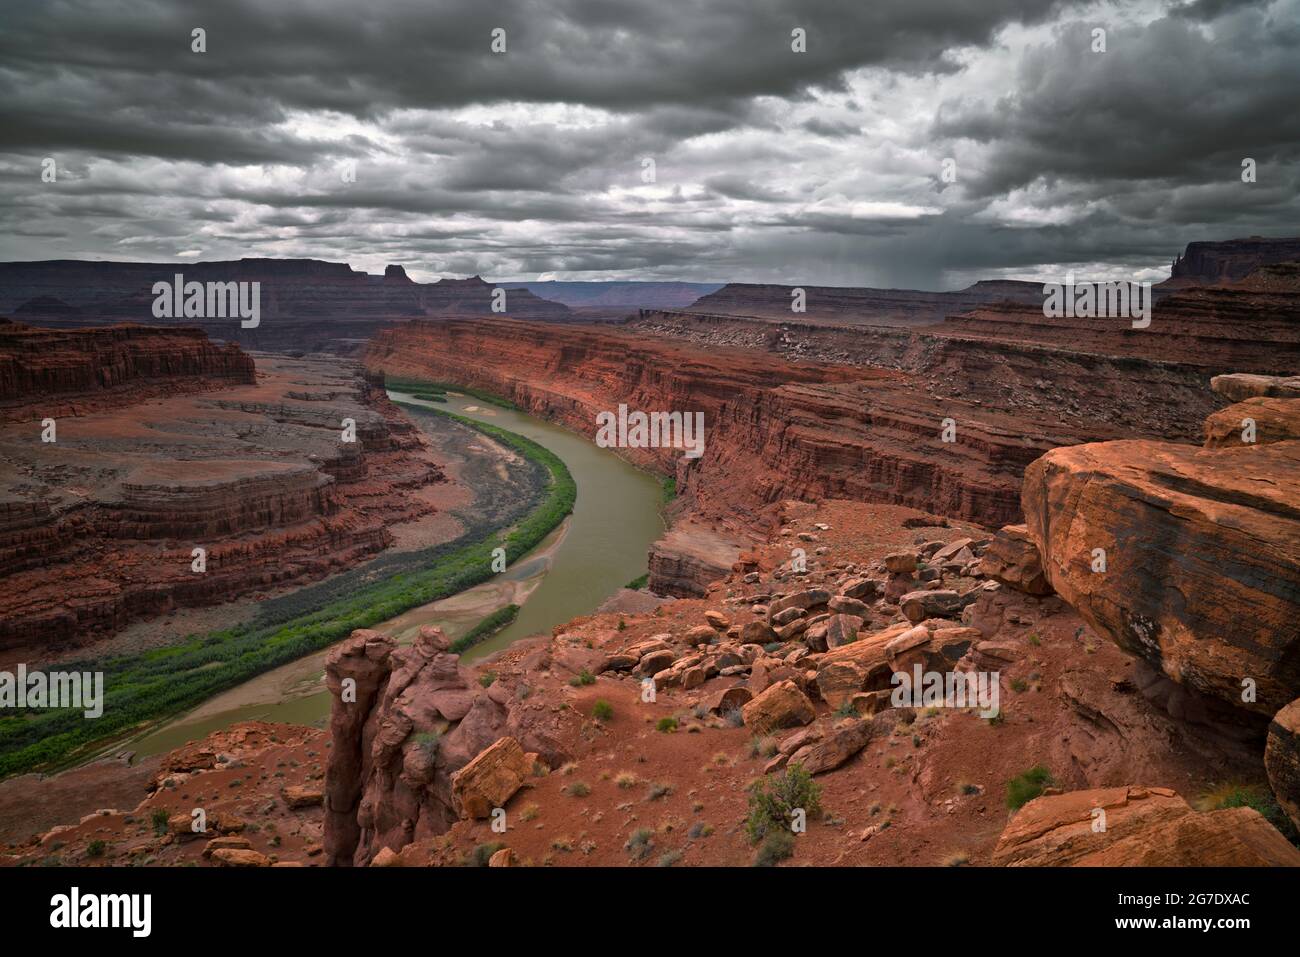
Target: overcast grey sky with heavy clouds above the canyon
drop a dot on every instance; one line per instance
(824, 167)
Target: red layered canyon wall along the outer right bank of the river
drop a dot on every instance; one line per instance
(774, 430)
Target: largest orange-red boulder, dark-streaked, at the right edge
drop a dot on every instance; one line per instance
(1202, 553)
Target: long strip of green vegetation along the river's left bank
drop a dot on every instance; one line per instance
(142, 688)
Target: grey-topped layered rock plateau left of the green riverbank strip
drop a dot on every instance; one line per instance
(101, 527)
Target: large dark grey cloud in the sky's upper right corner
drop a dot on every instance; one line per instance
(1167, 103)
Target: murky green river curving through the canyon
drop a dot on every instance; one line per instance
(597, 551)
